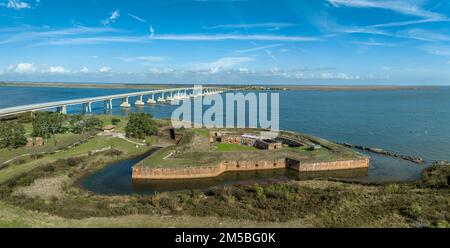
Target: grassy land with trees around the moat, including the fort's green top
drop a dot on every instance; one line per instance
(40, 181)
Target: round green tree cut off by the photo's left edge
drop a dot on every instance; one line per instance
(12, 135)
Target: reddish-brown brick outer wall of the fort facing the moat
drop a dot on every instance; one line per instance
(145, 172)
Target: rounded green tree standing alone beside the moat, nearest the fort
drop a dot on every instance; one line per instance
(141, 125)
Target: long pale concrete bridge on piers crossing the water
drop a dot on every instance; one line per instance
(149, 97)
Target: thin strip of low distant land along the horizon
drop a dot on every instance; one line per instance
(243, 87)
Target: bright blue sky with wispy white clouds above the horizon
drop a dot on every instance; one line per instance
(226, 41)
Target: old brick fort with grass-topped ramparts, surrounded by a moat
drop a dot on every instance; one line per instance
(204, 153)
